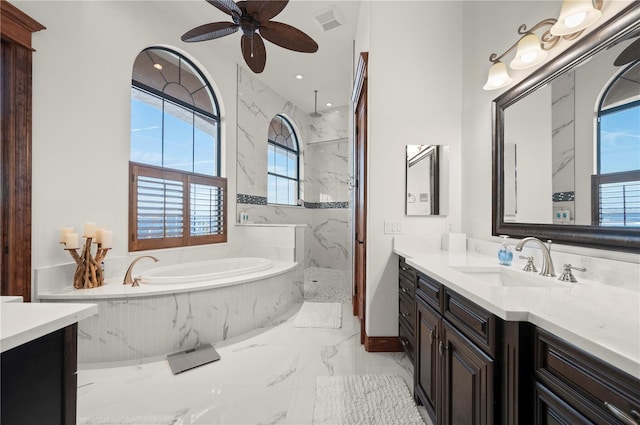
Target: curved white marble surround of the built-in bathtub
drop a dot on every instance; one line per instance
(138, 327)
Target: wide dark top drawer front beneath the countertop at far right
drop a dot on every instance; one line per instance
(585, 382)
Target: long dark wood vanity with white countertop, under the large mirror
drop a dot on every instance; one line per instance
(497, 345)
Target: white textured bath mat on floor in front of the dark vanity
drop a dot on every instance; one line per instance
(364, 400)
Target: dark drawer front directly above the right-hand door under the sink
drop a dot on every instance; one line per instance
(473, 321)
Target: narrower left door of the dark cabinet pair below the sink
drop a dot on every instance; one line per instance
(427, 376)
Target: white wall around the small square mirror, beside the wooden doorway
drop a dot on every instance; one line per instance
(415, 66)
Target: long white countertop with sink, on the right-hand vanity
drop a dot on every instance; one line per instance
(601, 319)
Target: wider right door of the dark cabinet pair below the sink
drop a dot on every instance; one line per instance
(467, 380)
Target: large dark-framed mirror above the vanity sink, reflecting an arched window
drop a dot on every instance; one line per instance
(566, 161)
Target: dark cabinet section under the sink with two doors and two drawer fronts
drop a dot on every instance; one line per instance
(454, 367)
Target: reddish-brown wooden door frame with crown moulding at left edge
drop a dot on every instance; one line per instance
(15, 153)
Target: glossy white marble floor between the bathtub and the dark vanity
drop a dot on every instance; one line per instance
(273, 369)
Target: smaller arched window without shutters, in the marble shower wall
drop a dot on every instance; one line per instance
(283, 166)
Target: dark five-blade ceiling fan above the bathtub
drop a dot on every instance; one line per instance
(254, 18)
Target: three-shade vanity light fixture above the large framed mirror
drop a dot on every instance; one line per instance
(531, 50)
